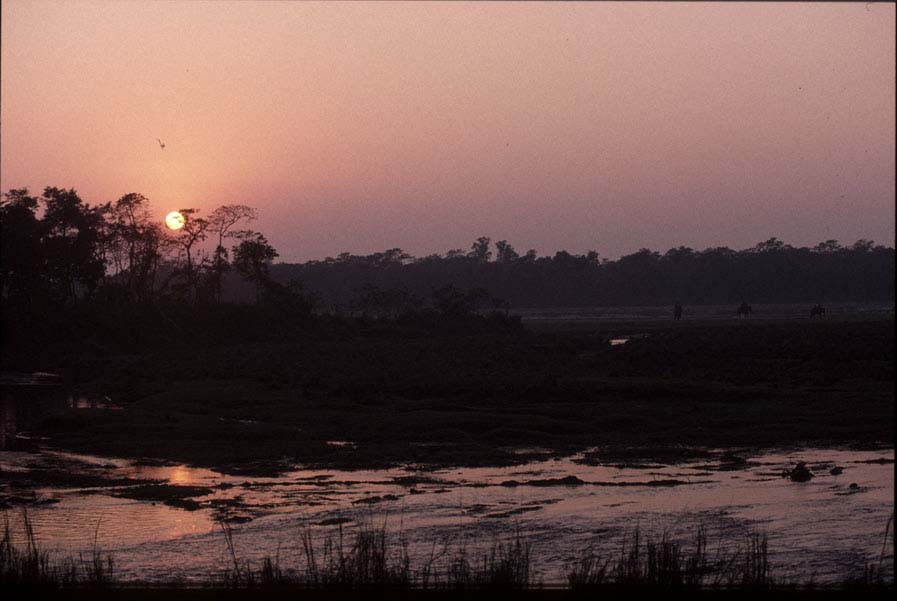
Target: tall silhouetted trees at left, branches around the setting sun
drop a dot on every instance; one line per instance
(59, 251)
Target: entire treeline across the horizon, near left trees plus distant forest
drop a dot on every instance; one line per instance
(58, 252)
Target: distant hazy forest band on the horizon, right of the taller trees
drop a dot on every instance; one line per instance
(772, 271)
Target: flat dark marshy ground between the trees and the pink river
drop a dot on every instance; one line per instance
(444, 399)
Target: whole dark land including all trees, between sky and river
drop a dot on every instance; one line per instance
(421, 360)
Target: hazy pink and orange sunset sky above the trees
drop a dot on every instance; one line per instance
(358, 127)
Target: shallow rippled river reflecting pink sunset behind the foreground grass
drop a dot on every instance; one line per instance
(824, 529)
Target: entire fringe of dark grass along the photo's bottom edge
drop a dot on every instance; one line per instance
(373, 560)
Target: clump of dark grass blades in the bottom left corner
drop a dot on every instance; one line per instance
(30, 565)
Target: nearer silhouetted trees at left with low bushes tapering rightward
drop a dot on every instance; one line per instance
(103, 279)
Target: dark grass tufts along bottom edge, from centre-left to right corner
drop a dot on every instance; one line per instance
(373, 560)
